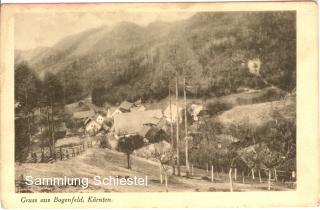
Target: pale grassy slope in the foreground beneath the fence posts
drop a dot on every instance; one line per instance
(105, 163)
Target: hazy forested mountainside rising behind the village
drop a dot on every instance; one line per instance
(129, 61)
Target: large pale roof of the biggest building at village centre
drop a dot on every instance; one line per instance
(133, 122)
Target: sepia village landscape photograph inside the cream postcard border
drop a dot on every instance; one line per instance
(170, 101)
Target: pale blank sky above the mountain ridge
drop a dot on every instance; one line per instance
(45, 29)
